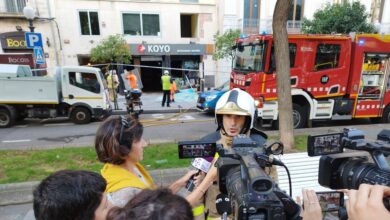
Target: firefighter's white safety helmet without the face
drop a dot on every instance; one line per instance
(236, 102)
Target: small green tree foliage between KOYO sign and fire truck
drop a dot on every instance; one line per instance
(224, 44)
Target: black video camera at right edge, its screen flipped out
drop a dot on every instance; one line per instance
(347, 170)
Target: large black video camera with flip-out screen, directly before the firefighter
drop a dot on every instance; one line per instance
(241, 171)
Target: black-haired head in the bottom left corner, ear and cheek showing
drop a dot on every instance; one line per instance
(71, 194)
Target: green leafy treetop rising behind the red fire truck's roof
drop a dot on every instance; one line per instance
(339, 18)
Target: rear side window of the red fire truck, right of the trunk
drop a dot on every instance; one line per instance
(327, 56)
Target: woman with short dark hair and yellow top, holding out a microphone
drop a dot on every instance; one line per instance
(119, 144)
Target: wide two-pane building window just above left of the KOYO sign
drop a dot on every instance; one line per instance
(141, 24)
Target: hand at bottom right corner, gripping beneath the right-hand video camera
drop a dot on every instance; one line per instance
(367, 202)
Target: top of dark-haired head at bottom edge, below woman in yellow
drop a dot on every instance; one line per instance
(160, 204)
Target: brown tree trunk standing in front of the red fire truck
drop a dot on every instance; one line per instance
(279, 26)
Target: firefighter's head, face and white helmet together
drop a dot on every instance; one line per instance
(235, 112)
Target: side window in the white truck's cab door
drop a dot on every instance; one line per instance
(87, 81)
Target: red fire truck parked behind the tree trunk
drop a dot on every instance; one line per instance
(333, 77)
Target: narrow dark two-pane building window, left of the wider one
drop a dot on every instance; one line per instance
(89, 23)
